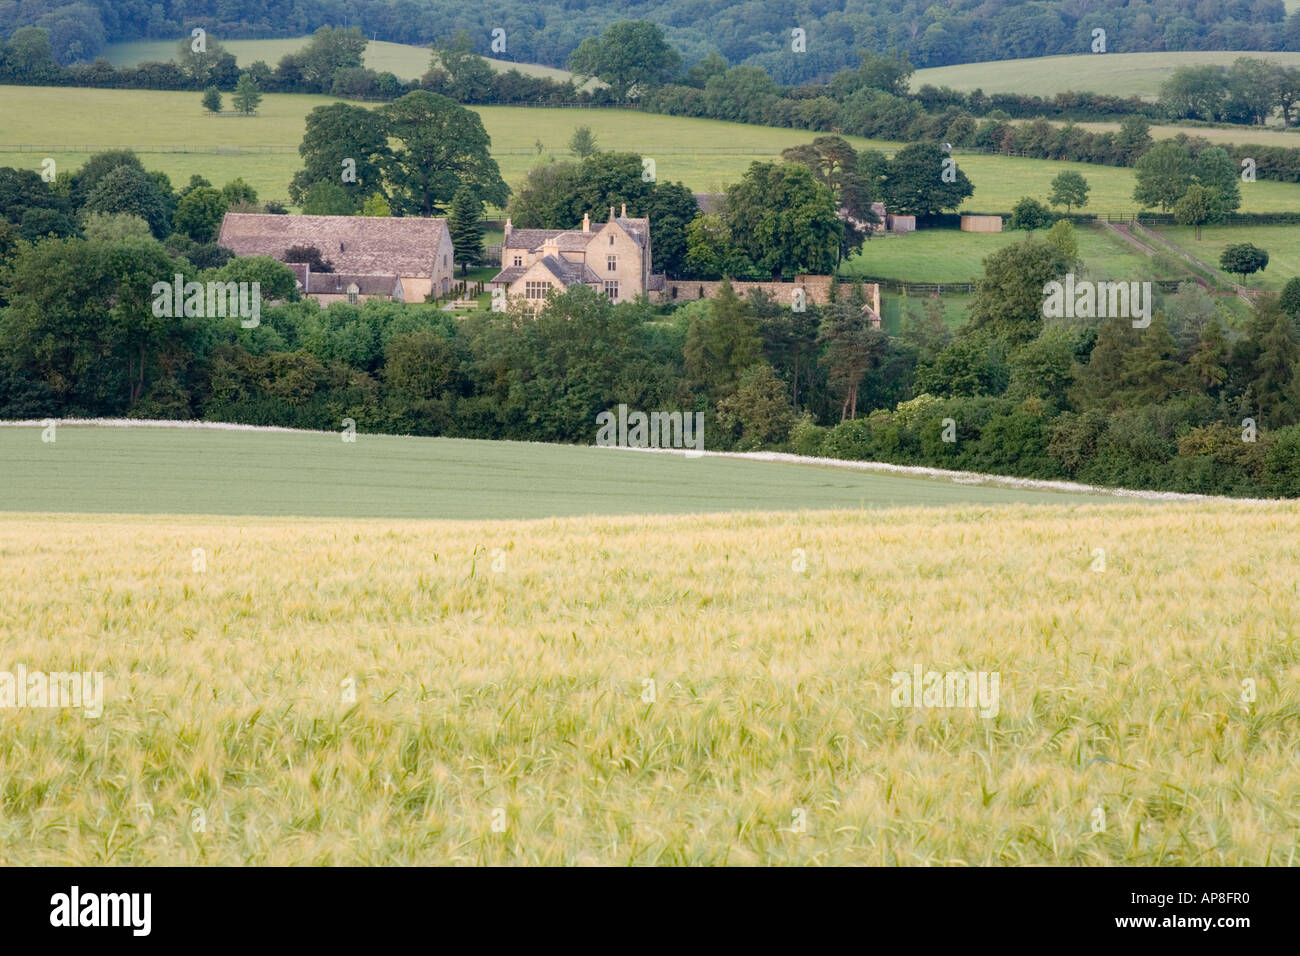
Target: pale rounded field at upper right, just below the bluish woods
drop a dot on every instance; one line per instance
(1120, 75)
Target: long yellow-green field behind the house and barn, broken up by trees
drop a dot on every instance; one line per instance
(684, 149)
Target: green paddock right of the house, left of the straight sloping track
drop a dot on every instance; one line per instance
(950, 256)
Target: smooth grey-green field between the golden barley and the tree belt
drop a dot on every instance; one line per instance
(201, 471)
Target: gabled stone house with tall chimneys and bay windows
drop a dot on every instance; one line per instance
(613, 258)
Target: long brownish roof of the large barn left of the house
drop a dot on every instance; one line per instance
(357, 245)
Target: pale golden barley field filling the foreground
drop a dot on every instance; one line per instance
(658, 690)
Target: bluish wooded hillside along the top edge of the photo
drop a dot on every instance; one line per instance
(749, 32)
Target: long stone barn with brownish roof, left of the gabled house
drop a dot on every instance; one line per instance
(404, 259)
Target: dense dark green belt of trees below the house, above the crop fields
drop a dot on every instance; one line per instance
(1189, 404)
